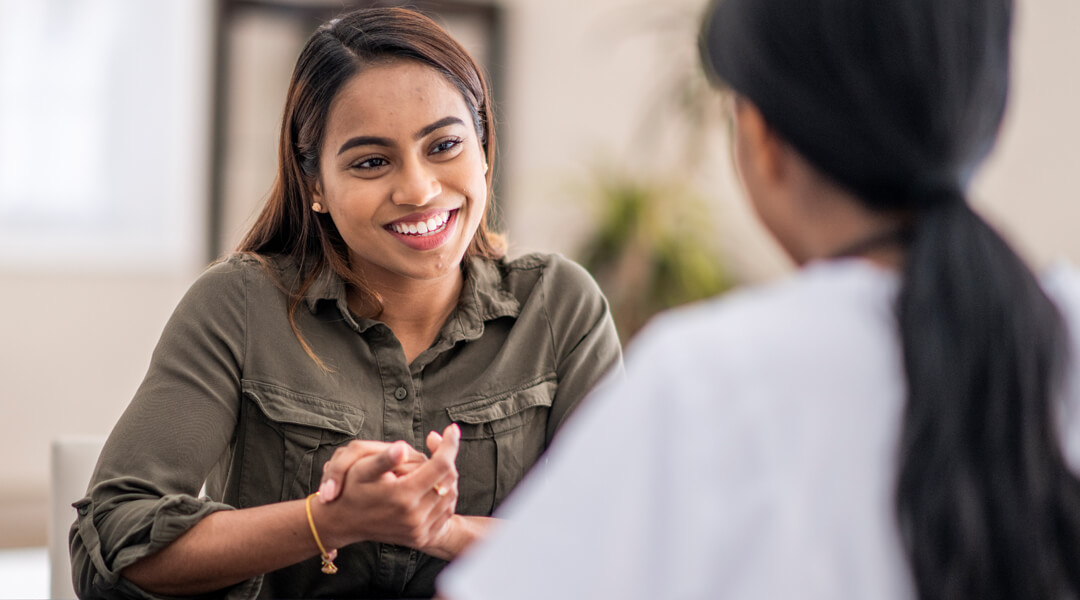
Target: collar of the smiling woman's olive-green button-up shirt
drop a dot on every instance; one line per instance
(483, 298)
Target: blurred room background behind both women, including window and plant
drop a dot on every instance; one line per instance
(139, 139)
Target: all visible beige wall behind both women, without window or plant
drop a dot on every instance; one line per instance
(78, 343)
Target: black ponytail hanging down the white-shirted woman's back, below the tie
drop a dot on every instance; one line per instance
(987, 506)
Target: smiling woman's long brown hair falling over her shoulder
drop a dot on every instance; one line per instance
(335, 53)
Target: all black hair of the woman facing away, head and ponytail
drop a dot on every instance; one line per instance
(900, 101)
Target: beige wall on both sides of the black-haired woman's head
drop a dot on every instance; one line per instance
(577, 96)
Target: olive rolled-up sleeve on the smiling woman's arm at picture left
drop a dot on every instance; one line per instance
(145, 489)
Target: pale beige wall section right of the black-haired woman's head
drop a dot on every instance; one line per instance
(1029, 188)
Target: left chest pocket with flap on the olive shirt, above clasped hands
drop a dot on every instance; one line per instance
(283, 438)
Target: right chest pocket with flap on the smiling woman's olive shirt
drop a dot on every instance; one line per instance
(503, 437)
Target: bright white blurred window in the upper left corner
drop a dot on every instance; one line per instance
(104, 135)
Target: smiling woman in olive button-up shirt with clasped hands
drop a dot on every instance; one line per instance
(370, 305)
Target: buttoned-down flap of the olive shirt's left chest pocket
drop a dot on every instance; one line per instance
(286, 406)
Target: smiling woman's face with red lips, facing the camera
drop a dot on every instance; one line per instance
(402, 173)
